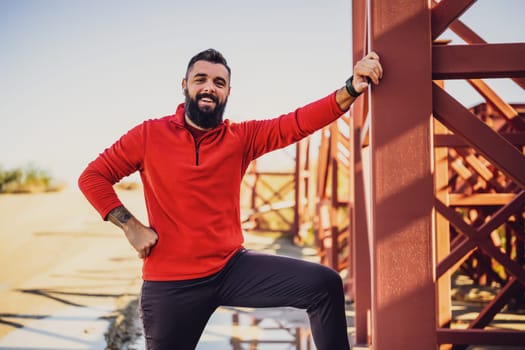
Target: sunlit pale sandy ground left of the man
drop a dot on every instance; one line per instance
(59, 257)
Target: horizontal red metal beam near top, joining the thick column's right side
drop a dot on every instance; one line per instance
(478, 61)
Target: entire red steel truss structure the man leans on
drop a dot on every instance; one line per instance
(412, 185)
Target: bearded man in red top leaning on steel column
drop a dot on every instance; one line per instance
(191, 165)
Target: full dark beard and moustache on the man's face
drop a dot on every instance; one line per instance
(206, 119)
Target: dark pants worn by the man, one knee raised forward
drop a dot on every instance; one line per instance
(175, 313)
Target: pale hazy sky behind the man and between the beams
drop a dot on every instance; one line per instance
(75, 75)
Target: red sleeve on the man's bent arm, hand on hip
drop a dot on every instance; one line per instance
(121, 159)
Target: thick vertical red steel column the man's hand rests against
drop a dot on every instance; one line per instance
(403, 292)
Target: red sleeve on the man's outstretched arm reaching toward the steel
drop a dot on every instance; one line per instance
(263, 136)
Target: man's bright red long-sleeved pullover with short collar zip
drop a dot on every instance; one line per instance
(192, 190)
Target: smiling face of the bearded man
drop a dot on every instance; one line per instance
(206, 88)
